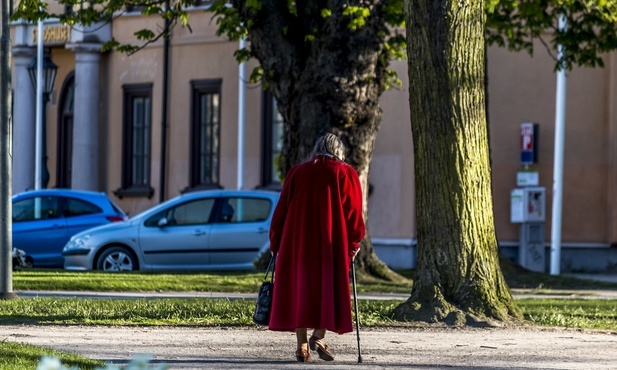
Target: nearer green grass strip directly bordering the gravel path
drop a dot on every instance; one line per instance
(571, 313)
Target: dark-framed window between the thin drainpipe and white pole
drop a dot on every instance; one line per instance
(205, 134)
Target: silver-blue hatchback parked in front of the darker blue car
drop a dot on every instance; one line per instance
(203, 230)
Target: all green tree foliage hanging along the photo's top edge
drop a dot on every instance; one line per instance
(514, 24)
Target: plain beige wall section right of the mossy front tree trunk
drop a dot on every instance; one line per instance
(522, 89)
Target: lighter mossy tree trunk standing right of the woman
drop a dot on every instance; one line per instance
(459, 279)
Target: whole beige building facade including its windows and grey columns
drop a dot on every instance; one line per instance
(105, 128)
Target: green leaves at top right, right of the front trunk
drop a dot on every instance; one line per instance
(591, 28)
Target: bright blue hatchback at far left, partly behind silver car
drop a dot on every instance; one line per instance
(44, 220)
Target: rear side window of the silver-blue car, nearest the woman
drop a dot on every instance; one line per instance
(244, 210)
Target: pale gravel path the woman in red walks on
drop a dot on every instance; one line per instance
(402, 348)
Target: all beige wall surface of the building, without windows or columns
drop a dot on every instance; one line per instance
(521, 89)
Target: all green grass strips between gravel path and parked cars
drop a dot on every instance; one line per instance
(596, 314)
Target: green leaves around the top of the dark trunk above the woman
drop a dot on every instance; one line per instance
(302, 23)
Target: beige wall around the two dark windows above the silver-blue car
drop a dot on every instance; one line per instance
(196, 55)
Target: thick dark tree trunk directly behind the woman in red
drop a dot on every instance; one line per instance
(328, 83)
